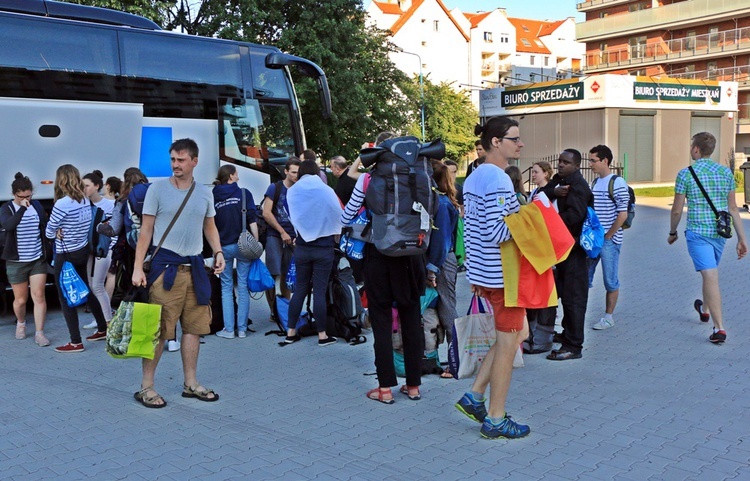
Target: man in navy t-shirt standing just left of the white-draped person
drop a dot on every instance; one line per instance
(280, 235)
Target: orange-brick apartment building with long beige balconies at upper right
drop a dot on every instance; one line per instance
(703, 40)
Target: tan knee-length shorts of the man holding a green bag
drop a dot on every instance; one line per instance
(180, 303)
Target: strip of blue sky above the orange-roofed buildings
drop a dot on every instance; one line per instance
(533, 9)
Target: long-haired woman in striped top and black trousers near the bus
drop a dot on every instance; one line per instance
(69, 225)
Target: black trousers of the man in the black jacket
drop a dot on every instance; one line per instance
(573, 289)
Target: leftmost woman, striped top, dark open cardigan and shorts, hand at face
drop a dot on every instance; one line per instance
(25, 254)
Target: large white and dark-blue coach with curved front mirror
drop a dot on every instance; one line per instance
(103, 89)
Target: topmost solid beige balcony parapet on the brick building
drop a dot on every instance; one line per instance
(672, 16)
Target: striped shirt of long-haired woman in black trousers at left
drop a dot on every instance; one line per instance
(74, 218)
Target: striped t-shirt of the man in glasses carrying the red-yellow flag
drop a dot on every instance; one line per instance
(488, 198)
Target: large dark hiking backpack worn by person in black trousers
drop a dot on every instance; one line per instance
(401, 196)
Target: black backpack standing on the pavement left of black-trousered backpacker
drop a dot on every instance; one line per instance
(345, 312)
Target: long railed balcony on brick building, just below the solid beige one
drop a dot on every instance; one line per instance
(699, 47)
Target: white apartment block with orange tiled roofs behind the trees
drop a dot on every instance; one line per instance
(476, 50)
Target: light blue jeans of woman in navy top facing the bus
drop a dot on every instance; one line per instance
(231, 252)
